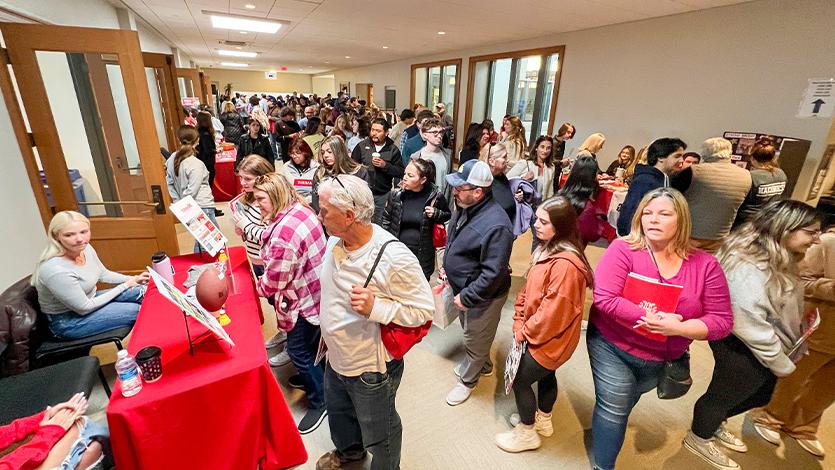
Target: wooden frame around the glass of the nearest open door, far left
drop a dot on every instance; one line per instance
(29, 38)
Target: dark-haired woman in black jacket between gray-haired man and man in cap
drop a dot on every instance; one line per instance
(412, 212)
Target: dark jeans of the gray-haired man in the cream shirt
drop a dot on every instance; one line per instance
(362, 415)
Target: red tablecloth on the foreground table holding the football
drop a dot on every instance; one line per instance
(219, 409)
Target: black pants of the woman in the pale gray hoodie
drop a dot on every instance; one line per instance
(740, 383)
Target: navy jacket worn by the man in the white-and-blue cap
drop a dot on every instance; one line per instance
(479, 240)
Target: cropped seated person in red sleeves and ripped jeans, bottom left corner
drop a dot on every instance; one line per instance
(62, 437)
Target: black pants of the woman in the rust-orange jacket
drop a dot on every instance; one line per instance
(526, 402)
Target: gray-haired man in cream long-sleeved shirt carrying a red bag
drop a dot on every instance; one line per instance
(361, 377)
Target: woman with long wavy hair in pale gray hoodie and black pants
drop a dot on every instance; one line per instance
(760, 260)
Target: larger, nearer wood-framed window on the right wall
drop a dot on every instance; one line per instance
(523, 83)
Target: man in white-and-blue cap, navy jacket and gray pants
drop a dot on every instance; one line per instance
(479, 241)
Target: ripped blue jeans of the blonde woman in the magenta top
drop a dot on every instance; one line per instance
(619, 381)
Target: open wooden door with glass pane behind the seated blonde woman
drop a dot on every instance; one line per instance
(86, 98)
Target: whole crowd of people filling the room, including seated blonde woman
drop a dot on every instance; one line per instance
(340, 222)
